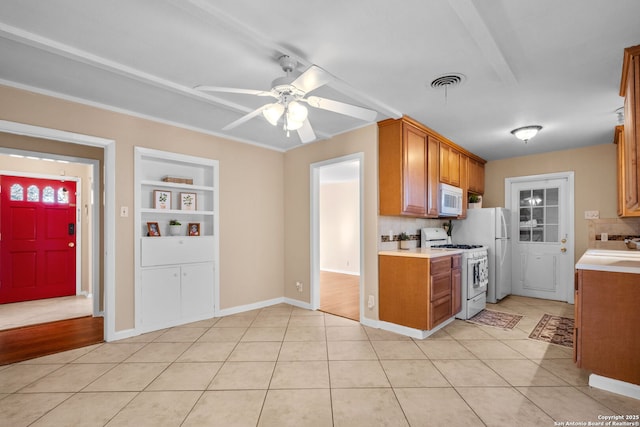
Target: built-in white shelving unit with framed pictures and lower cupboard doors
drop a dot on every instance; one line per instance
(176, 277)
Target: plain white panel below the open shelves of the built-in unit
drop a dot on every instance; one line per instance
(172, 250)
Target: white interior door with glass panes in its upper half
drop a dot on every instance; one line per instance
(542, 253)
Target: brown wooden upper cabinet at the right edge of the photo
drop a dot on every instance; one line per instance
(630, 89)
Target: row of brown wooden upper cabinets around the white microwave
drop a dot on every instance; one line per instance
(413, 160)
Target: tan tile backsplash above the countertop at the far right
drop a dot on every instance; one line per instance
(617, 229)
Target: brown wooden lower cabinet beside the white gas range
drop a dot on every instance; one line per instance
(418, 292)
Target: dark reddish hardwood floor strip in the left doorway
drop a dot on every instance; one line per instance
(32, 341)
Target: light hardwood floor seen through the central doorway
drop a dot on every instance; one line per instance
(340, 294)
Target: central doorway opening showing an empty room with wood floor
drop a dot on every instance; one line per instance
(337, 222)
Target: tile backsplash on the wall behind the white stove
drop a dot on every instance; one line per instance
(389, 227)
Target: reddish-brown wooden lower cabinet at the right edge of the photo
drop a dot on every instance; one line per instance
(607, 333)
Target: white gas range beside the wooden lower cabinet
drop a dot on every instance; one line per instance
(475, 270)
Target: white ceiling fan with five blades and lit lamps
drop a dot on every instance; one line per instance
(290, 92)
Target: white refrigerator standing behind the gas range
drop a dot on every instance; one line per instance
(490, 227)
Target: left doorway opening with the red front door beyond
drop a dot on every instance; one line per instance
(64, 281)
